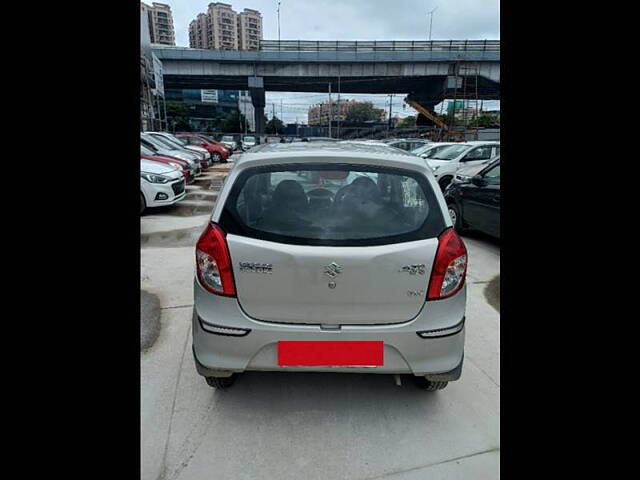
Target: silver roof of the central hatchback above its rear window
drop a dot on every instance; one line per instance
(329, 152)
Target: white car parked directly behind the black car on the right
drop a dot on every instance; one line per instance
(448, 161)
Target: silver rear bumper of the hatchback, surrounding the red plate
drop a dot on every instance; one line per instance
(404, 351)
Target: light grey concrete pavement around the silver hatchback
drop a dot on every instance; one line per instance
(313, 426)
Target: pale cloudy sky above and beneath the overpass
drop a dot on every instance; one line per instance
(355, 20)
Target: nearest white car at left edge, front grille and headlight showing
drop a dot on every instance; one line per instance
(160, 184)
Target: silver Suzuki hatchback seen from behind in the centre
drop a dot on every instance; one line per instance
(330, 257)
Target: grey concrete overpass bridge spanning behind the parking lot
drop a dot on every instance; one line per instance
(429, 71)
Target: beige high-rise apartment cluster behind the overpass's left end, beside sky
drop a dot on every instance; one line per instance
(221, 28)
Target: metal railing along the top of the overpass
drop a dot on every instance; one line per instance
(378, 45)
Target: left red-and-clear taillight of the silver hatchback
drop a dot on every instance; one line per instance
(213, 262)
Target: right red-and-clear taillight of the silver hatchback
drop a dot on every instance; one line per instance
(450, 266)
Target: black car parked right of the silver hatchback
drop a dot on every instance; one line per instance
(476, 204)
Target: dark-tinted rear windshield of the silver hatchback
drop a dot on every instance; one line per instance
(335, 204)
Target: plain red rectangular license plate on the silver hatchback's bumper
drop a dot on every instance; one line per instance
(331, 354)
